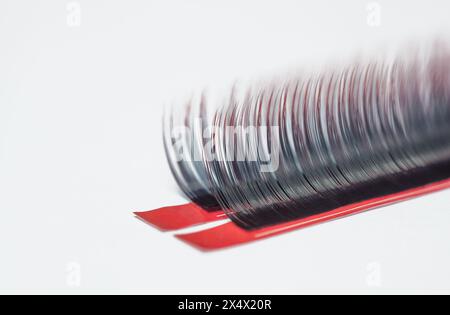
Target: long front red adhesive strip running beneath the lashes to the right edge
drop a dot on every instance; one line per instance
(229, 234)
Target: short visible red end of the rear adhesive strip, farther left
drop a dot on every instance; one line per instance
(178, 217)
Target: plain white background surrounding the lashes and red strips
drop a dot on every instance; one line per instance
(81, 95)
